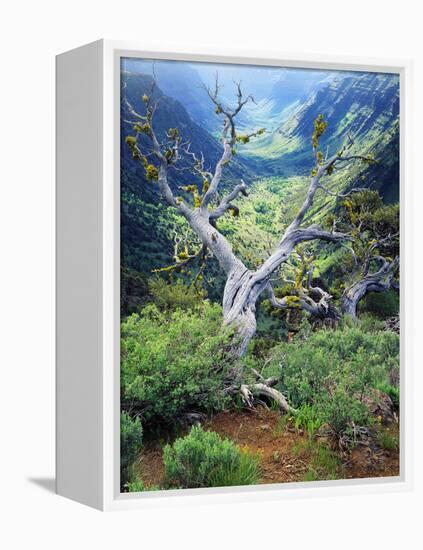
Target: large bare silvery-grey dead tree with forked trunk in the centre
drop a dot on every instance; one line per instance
(243, 285)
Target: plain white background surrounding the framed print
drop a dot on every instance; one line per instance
(31, 34)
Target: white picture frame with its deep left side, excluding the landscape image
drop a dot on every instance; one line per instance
(88, 261)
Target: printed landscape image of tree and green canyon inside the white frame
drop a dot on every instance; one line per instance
(259, 276)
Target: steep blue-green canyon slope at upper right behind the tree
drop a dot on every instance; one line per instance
(366, 107)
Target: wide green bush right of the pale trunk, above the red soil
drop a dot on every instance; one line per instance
(327, 375)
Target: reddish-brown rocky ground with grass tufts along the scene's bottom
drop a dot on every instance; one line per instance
(288, 454)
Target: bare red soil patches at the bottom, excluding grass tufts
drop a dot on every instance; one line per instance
(284, 453)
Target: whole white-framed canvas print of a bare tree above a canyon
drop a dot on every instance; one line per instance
(230, 275)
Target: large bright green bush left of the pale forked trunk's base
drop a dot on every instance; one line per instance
(174, 363)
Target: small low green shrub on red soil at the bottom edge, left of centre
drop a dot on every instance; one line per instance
(204, 459)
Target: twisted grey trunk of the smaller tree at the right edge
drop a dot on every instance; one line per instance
(380, 281)
